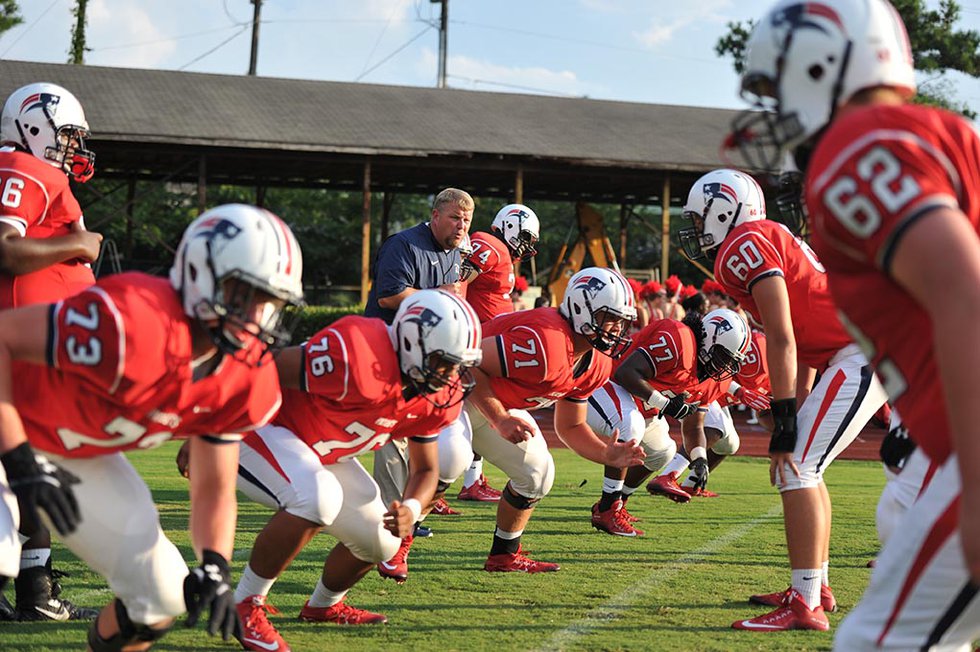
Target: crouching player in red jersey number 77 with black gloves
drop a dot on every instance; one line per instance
(673, 368)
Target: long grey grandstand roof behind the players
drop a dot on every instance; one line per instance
(286, 132)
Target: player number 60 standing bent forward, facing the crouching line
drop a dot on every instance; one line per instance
(777, 279)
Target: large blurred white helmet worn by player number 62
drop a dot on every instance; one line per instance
(806, 59)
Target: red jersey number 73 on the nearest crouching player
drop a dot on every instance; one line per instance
(119, 376)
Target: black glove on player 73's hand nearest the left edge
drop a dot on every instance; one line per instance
(41, 484)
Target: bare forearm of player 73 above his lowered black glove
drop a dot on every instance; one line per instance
(214, 507)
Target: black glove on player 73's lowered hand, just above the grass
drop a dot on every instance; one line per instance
(209, 587)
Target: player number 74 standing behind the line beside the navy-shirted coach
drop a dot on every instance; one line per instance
(489, 275)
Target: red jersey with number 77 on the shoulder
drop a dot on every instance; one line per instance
(671, 350)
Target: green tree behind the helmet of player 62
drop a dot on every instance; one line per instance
(937, 47)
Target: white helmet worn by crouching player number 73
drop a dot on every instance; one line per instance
(249, 245)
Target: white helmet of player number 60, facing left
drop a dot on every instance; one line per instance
(717, 203)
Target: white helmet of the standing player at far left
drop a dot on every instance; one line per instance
(48, 121)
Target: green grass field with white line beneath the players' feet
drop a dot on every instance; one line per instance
(677, 588)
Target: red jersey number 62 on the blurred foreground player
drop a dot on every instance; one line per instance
(874, 172)
